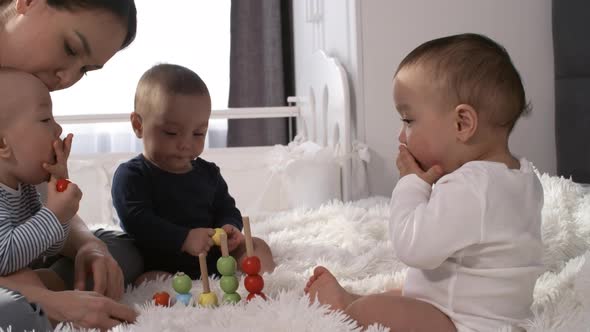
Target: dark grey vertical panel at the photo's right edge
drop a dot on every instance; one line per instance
(571, 30)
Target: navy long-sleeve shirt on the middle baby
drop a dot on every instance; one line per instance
(158, 209)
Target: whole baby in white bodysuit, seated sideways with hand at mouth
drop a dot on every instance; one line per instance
(466, 213)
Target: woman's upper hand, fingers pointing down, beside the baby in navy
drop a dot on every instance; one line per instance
(95, 259)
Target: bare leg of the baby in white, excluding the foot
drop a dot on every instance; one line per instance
(399, 313)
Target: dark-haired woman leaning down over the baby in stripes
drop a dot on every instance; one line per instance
(59, 41)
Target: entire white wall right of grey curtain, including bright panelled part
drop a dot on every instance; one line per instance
(370, 38)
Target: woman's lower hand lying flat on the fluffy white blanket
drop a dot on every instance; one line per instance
(86, 309)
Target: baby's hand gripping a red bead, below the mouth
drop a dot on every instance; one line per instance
(63, 204)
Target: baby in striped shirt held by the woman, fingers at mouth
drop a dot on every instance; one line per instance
(31, 152)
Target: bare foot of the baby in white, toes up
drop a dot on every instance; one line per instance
(323, 287)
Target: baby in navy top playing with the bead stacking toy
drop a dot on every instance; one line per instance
(168, 198)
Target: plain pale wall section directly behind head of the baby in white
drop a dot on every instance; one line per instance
(390, 29)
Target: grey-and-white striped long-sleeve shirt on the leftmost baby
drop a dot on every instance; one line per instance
(27, 229)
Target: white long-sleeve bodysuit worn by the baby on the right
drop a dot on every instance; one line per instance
(472, 241)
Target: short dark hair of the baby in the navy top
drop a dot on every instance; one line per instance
(166, 79)
